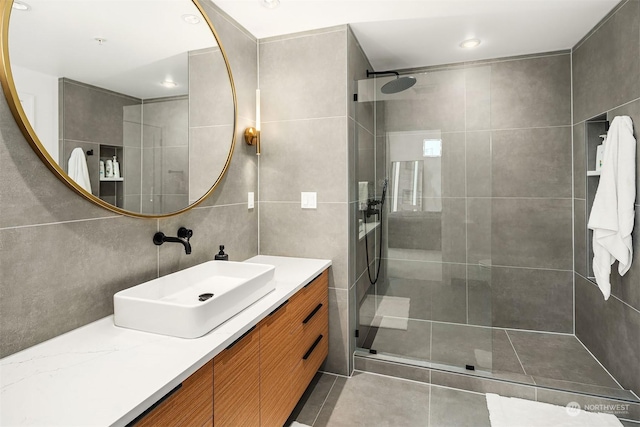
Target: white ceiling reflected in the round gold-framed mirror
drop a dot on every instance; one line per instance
(146, 43)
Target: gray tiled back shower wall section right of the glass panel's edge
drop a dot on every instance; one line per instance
(531, 188)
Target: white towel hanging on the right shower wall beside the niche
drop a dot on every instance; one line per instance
(613, 214)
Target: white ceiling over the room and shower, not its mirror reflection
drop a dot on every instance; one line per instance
(399, 34)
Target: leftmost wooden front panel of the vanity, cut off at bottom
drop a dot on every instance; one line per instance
(189, 405)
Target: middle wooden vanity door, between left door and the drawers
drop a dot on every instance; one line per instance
(236, 383)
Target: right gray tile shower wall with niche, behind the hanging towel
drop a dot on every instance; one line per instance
(606, 80)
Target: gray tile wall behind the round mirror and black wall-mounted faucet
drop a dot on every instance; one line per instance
(62, 258)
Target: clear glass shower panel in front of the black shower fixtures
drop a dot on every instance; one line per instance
(432, 304)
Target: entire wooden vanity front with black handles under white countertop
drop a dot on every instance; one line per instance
(258, 379)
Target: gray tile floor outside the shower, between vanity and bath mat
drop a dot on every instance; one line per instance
(373, 400)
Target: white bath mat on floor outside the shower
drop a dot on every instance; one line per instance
(513, 412)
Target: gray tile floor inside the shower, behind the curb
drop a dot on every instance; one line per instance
(539, 358)
